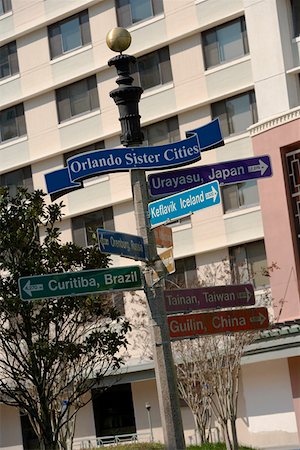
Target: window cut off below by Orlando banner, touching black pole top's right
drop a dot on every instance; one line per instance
(163, 132)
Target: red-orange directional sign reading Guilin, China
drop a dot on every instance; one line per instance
(189, 325)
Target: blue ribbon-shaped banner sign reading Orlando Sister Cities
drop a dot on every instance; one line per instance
(90, 164)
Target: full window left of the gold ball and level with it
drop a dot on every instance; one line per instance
(55, 34)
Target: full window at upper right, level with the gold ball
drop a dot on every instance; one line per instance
(215, 44)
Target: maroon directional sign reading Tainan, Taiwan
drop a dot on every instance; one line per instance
(186, 300)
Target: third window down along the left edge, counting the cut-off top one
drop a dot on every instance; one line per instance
(12, 122)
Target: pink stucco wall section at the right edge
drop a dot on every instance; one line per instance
(277, 222)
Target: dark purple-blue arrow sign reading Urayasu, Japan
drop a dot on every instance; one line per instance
(166, 183)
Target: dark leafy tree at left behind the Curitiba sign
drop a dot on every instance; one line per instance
(51, 351)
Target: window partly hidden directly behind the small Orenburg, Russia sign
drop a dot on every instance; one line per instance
(85, 226)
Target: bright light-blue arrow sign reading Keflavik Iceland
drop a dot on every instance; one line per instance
(185, 203)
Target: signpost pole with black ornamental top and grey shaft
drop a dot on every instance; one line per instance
(127, 98)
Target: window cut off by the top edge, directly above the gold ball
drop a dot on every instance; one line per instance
(130, 12)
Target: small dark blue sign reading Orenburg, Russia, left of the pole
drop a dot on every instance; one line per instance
(122, 244)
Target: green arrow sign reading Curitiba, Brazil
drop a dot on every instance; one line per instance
(85, 282)
